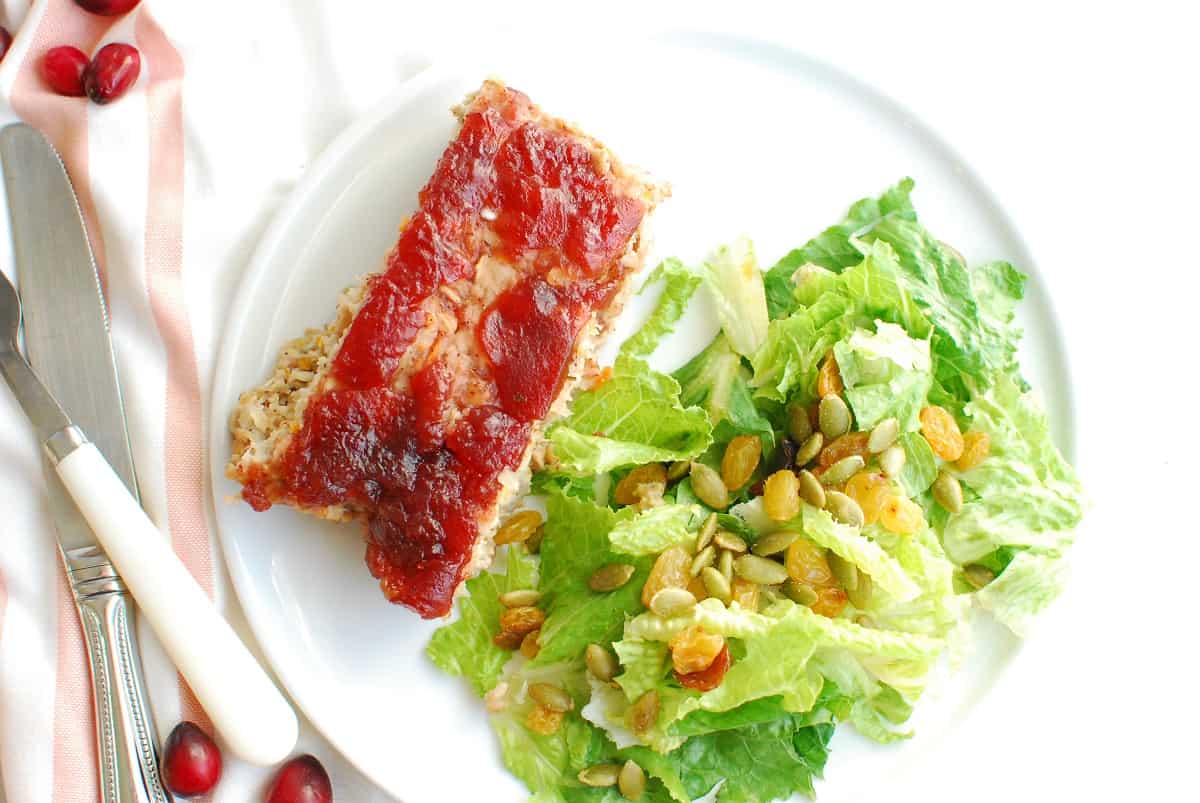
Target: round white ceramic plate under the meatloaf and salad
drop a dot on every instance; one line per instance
(754, 140)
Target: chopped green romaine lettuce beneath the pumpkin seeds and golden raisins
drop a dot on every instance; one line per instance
(910, 326)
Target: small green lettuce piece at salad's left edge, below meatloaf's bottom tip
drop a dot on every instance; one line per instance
(465, 648)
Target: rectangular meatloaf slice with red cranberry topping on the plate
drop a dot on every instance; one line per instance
(417, 410)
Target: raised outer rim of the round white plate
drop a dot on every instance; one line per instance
(742, 47)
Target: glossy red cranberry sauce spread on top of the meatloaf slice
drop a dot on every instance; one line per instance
(424, 486)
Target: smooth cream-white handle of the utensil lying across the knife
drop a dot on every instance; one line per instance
(243, 703)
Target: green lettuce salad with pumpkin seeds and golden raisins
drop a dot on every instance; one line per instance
(783, 537)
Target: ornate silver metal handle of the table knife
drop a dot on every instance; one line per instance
(125, 734)
